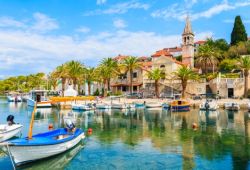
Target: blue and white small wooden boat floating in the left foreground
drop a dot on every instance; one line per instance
(43, 145)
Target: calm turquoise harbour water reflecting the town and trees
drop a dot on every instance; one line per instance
(142, 139)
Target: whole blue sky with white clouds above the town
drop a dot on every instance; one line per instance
(38, 35)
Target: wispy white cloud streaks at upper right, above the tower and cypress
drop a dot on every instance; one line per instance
(178, 11)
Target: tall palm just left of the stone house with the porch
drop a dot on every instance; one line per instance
(110, 65)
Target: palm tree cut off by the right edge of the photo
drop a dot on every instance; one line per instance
(244, 65)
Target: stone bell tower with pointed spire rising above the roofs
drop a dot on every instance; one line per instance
(188, 44)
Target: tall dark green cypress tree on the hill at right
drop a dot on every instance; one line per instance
(239, 32)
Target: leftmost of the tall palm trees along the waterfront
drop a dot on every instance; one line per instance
(62, 73)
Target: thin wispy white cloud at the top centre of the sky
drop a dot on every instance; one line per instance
(119, 8)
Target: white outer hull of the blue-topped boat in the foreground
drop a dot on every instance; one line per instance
(25, 154)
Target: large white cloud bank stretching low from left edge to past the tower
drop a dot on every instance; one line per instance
(23, 53)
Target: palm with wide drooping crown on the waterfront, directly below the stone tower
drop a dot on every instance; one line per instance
(184, 74)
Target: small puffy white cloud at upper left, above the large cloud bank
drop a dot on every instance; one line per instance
(44, 23)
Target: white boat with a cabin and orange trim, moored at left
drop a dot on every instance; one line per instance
(38, 97)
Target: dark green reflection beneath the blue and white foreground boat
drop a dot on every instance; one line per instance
(56, 162)
